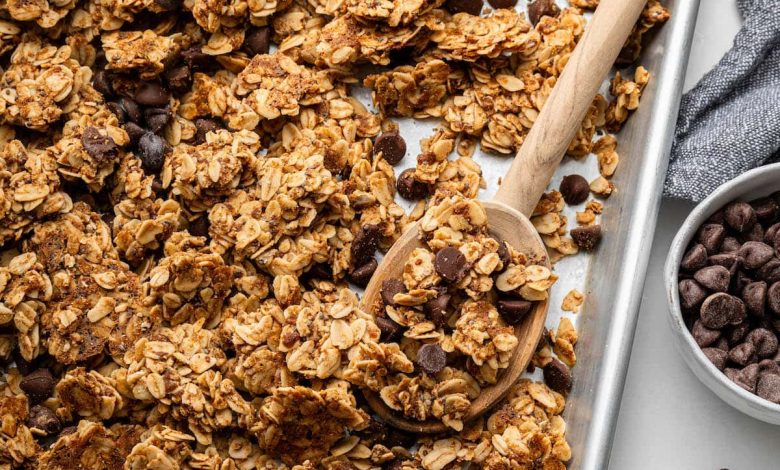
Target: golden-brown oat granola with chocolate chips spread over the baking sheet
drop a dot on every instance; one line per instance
(193, 192)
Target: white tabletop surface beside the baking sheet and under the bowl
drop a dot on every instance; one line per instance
(668, 419)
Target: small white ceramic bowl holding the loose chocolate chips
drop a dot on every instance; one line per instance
(751, 185)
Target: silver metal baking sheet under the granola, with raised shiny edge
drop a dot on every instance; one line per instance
(613, 277)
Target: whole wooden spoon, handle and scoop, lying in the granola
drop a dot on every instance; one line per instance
(520, 191)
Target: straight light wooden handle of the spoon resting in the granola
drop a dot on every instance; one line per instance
(565, 108)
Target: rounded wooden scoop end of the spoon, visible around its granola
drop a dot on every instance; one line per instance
(515, 229)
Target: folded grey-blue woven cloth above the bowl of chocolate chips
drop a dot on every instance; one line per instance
(730, 122)
